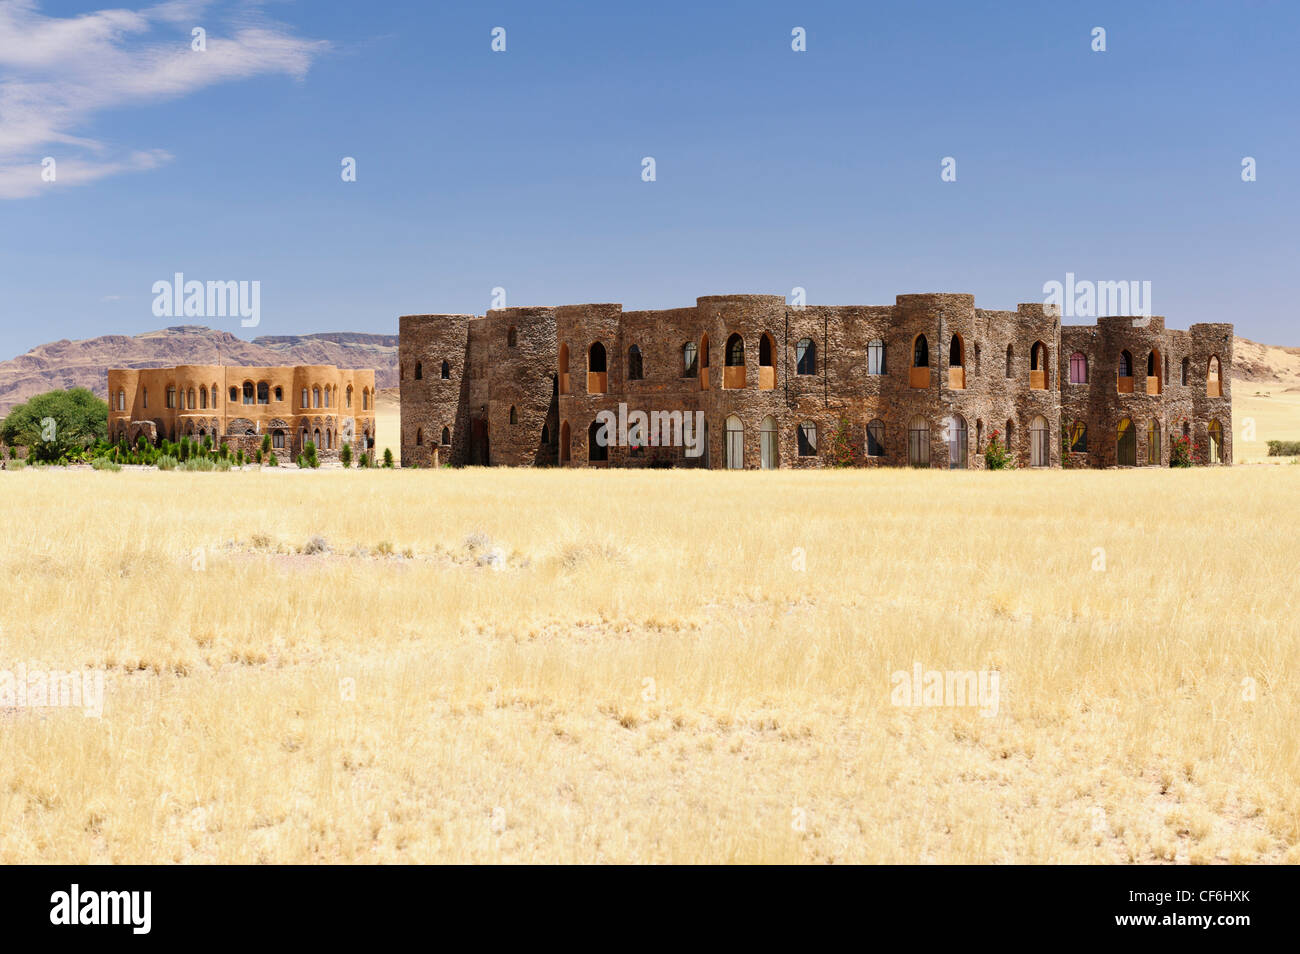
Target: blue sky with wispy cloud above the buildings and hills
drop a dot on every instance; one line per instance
(523, 170)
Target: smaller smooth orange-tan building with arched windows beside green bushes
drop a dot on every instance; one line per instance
(239, 406)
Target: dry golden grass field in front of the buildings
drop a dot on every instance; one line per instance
(493, 666)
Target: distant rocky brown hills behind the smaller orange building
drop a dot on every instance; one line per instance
(85, 363)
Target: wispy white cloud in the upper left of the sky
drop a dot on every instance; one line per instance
(59, 72)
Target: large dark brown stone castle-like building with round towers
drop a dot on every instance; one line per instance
(928, 381)
